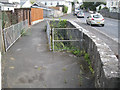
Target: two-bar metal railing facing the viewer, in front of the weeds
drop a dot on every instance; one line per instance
(66, 38)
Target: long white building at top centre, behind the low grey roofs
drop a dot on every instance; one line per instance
(54, 3)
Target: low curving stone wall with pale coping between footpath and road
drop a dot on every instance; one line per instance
(104, 62)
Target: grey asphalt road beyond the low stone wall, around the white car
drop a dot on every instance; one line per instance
(108, 33)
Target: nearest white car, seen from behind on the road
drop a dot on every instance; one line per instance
(95, 19)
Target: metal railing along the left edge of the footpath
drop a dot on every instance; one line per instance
(12, 33)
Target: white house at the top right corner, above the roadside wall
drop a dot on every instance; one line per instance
(113, 5)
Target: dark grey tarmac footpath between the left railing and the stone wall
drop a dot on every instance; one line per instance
(29, 64)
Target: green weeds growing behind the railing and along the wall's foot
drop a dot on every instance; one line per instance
(67, 46)
